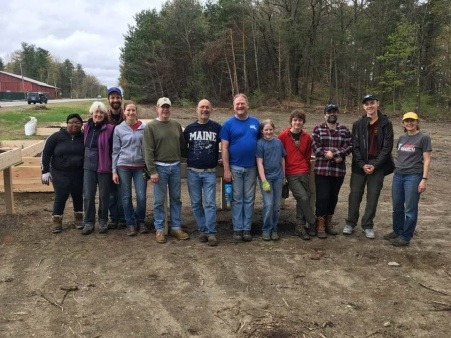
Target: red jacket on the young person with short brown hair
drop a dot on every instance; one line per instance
(297, 160)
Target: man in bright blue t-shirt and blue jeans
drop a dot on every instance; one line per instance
(239, 136)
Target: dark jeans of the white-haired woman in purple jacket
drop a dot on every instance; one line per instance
(90, 181)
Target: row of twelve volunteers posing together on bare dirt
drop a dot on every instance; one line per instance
(116, 149)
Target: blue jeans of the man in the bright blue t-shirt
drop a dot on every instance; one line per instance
(243, 197)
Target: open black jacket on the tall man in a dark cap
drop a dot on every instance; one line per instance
(360, 145)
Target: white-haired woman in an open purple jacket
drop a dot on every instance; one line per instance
(98, 137)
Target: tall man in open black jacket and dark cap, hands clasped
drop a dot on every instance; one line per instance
(372, 138)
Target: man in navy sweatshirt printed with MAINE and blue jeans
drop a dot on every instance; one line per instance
(202, 140)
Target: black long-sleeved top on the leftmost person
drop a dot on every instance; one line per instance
(63, 152)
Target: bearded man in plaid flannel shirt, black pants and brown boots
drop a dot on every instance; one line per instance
(332, 142)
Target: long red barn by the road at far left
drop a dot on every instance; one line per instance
(12, 86)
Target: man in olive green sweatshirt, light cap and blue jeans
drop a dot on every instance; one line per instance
(163, 148)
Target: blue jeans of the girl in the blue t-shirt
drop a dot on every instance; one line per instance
(271, 205)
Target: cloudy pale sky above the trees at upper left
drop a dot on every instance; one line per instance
(88, 32)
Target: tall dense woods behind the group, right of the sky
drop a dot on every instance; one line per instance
(315, 51)
